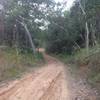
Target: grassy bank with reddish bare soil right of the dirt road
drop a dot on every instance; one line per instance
(87, 64)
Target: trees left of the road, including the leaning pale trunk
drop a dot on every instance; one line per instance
(20, 17)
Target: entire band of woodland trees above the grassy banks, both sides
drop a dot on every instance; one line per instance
(27, 24)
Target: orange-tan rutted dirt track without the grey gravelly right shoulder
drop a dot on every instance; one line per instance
(47, 83)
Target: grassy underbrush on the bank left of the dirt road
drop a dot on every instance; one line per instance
(13, 64)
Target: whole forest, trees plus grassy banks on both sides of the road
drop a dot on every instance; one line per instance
(72, 36)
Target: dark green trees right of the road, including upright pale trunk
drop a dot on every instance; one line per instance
(79, 28)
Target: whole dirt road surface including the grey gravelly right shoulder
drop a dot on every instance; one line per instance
(48, 83)
